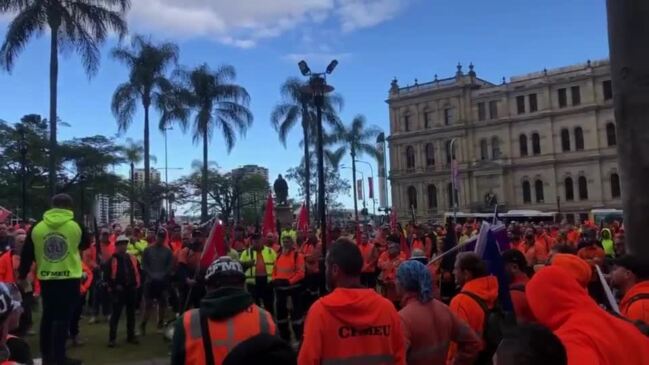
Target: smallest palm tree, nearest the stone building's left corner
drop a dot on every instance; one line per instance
(357, 138)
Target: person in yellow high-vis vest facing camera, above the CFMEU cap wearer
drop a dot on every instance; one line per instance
(258, 261)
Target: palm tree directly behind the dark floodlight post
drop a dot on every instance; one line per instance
(298, 105)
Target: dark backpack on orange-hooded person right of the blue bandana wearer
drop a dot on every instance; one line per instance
(493, 328)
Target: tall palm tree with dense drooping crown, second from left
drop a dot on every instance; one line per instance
(148, 84)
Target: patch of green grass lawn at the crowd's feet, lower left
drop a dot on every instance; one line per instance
(96, 351)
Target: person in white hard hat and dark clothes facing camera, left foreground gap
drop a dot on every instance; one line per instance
(123, 278)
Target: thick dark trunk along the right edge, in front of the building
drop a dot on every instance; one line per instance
(628, 34)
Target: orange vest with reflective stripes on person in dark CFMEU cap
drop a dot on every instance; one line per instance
(224, 335)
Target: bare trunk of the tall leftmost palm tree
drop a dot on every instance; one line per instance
(54, 77)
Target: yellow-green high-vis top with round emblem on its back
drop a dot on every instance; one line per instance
(56, 248)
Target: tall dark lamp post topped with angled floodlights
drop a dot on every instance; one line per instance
(318, 88)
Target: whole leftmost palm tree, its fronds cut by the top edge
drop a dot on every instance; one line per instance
(81, 25)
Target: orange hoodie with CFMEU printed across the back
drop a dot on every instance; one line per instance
(352, 326)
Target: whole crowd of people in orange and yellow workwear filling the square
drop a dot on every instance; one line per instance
(383, 294)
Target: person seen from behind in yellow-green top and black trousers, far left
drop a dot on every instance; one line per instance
(56, 243)
